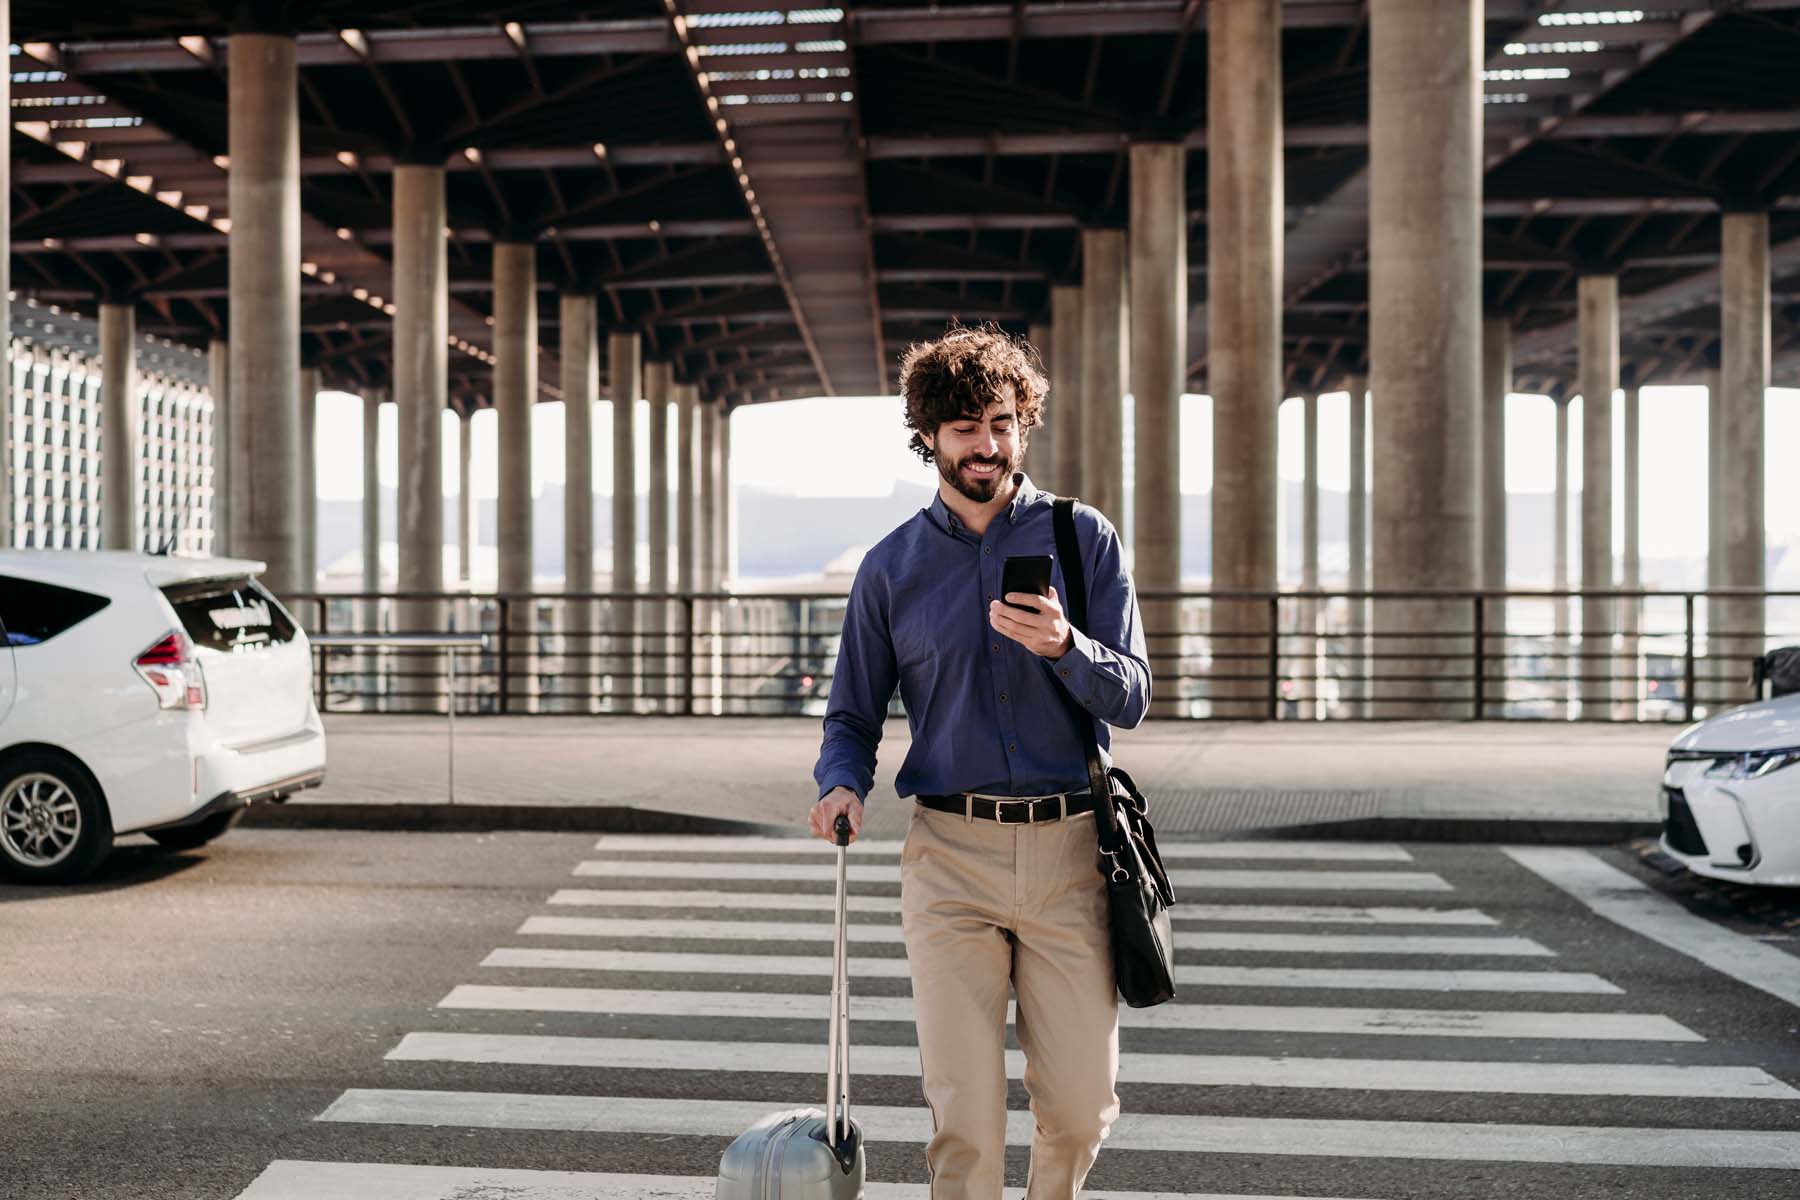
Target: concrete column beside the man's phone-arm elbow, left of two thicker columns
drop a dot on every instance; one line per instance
(1158, 372)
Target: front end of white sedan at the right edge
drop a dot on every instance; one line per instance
(1732, 794)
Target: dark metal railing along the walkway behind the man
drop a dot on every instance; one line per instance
(1653, 656)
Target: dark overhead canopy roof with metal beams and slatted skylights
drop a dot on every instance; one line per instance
(901, 166)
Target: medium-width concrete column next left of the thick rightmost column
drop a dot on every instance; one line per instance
(1597, 314)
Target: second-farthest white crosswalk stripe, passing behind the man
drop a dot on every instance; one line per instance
(890, 873)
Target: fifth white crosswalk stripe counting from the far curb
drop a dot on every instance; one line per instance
(1336, 980)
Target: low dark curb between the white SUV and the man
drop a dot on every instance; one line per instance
(496, 818)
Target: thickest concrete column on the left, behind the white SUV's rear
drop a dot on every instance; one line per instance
(264, 192)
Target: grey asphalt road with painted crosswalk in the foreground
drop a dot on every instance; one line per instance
(183, 1023)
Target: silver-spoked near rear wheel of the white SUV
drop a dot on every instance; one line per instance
(53, 823)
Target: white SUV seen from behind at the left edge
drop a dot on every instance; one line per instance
(143, 695)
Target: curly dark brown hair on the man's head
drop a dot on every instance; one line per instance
(962, 373)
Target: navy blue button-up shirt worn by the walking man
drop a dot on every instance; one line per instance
(984, 710)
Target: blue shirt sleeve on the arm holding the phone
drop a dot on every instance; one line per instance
(1108, 668)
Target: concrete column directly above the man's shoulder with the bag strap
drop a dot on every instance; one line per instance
(1104, 372)
